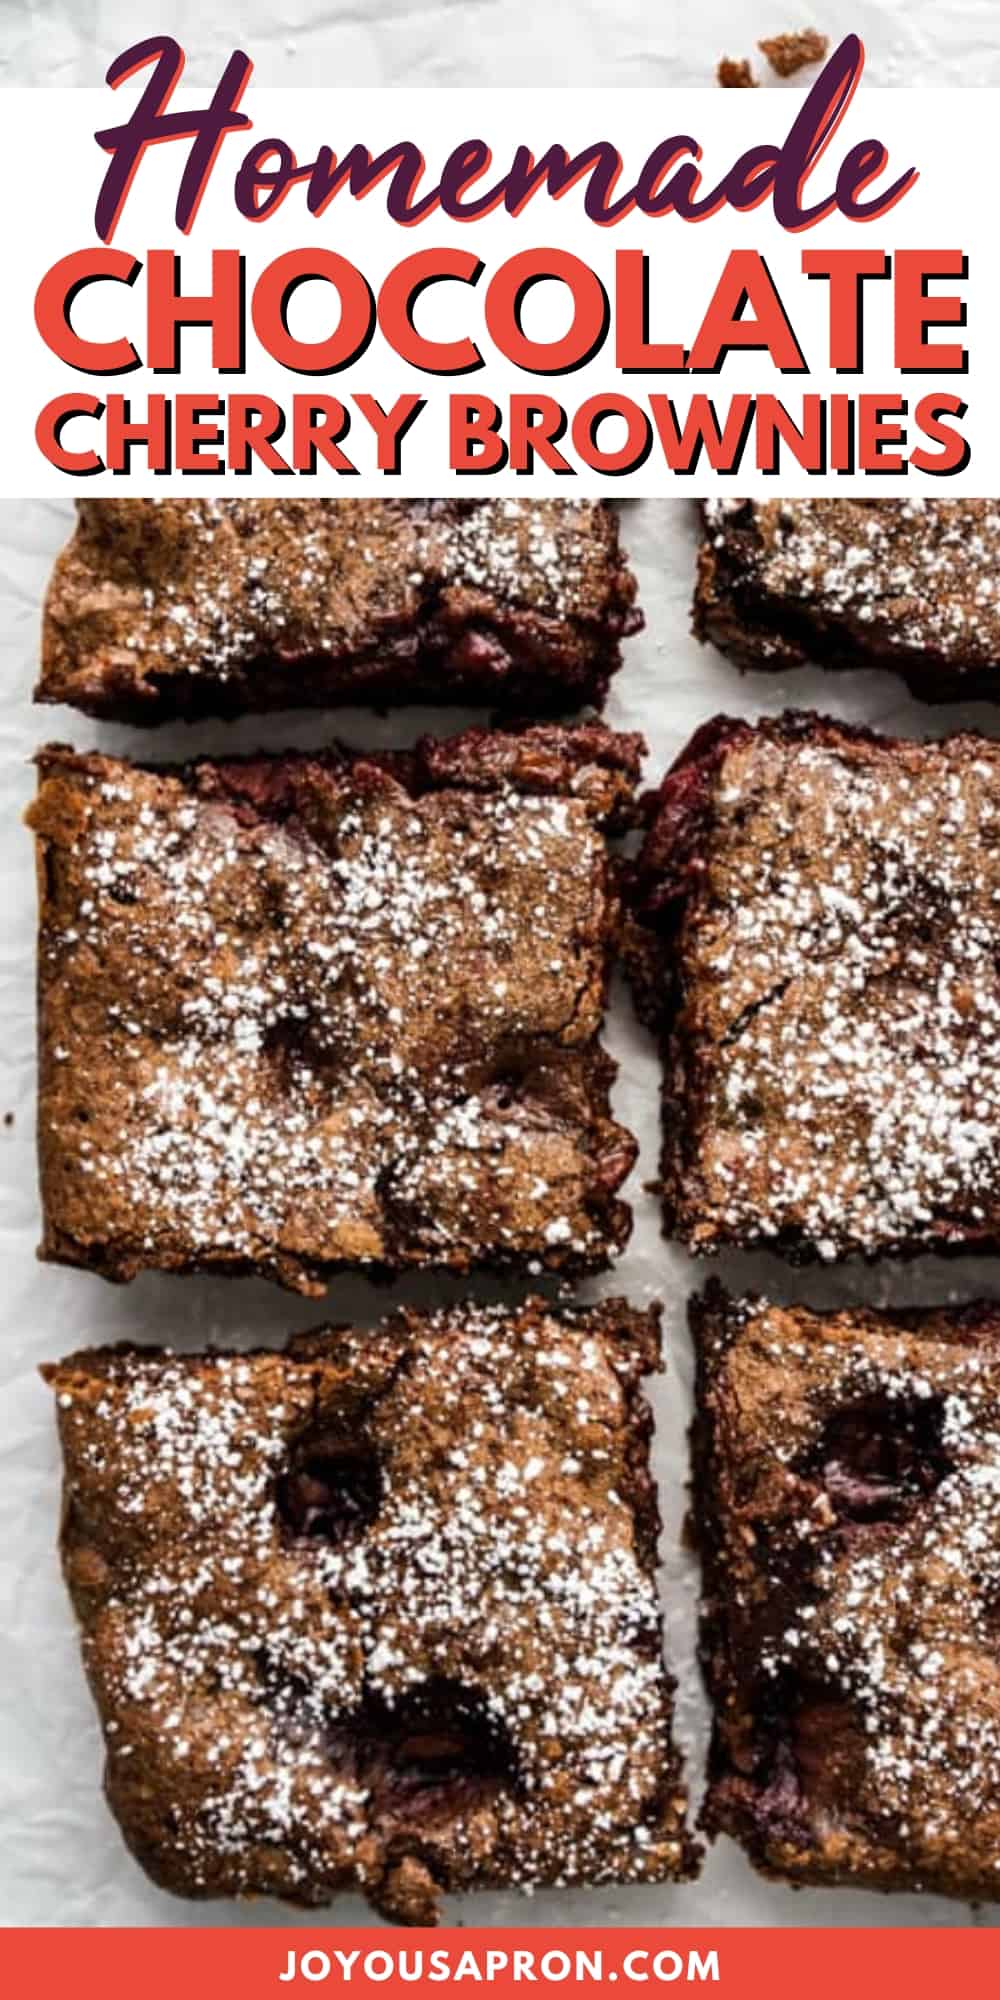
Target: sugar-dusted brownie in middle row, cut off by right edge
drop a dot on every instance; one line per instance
(817, 935)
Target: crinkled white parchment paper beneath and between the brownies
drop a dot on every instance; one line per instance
(61, 1855)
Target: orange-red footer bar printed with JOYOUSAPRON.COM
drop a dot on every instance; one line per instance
(255, 1963)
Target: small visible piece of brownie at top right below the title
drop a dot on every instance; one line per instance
(907, 585)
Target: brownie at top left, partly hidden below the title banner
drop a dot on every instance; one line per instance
(215, 607)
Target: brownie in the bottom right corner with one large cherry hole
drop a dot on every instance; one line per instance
(847, 1481)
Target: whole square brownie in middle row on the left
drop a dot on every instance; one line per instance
(317, 1011)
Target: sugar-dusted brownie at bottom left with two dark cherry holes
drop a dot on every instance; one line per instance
(381, 1611)
